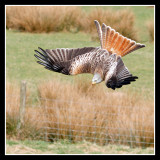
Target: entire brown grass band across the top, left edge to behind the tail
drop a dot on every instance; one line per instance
(69, 18)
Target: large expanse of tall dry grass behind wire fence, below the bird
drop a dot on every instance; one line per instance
(82, 111)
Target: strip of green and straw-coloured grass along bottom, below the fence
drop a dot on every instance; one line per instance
(66, 147)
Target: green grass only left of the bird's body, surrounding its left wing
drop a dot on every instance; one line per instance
(20, 61)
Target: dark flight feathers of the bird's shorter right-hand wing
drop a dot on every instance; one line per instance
(121, 77)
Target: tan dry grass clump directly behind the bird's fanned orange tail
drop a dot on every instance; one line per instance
(122, 21)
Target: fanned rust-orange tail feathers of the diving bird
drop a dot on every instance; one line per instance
(115, 42)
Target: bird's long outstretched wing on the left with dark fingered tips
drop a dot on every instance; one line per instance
(67, 61)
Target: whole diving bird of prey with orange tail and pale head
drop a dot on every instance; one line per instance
(104, 62)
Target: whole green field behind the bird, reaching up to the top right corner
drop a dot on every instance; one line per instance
(21, 64)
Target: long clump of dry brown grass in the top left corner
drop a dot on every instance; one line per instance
(42, 18)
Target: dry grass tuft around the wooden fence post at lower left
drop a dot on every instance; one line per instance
(32, 124)
